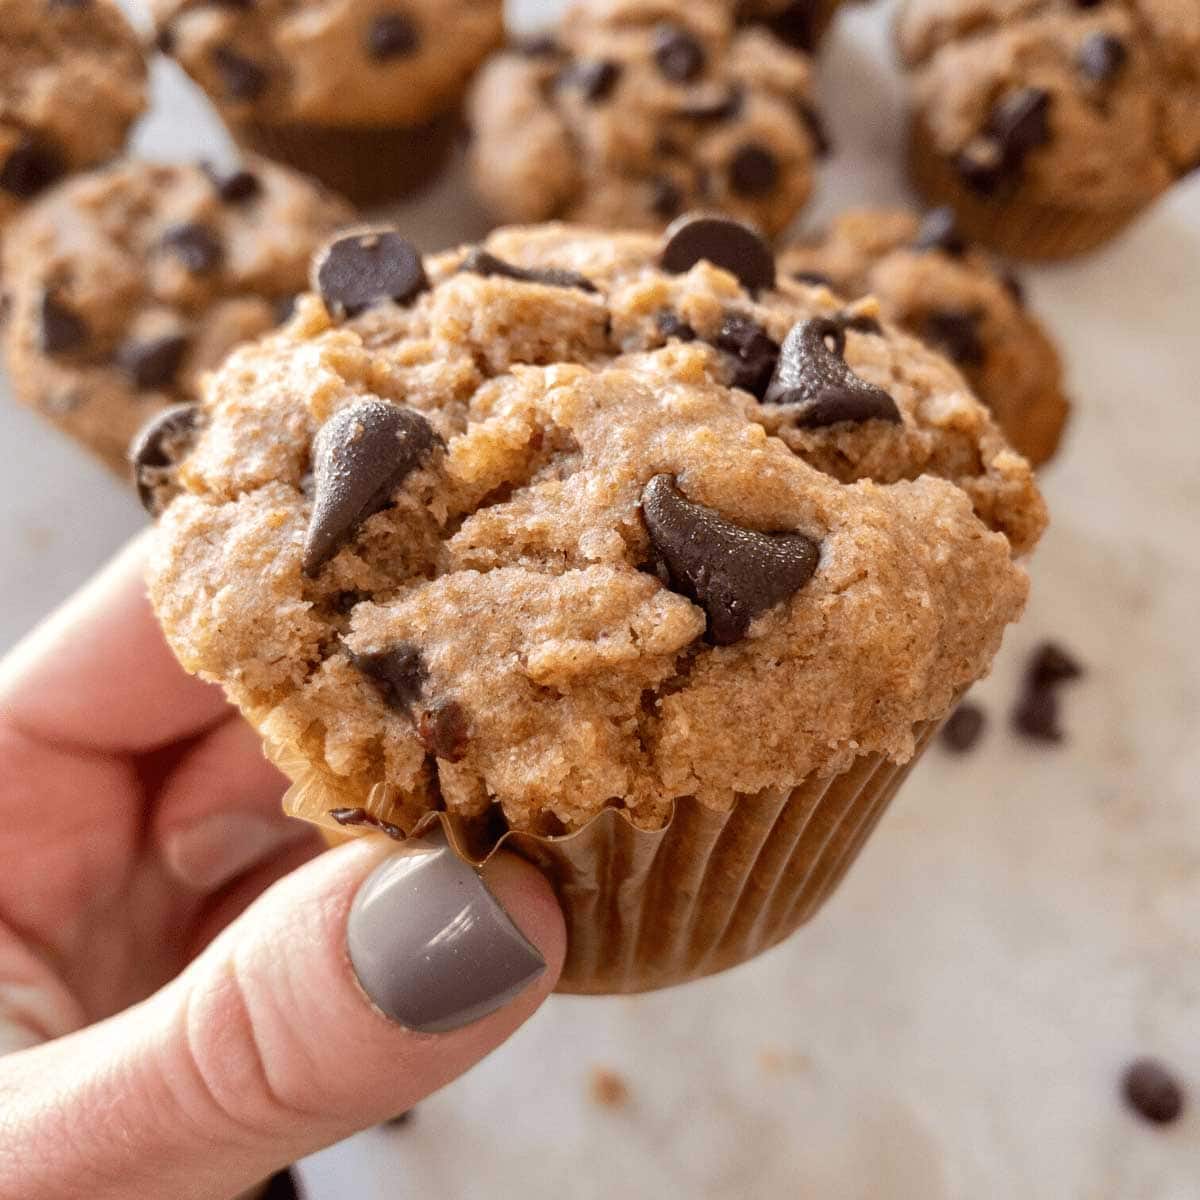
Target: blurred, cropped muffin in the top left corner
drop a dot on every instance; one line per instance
(73, 82)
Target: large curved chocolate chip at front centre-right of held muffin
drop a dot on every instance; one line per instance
(734, 574)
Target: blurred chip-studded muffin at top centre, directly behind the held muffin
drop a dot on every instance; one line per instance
(637, 111)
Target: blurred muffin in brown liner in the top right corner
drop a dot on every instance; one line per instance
(1049, 125)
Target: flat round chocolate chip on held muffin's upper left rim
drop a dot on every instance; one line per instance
(365, 269)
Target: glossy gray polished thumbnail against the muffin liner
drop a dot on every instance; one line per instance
(431, 945)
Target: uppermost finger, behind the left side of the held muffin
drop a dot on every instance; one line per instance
(105, 643)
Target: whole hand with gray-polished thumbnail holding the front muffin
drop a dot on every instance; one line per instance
(184, 980)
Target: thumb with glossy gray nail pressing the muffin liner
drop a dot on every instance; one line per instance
(347, 993)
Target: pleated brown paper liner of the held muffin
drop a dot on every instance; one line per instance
(651, 909)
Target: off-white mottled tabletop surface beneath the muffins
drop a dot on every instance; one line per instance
(1027, 921)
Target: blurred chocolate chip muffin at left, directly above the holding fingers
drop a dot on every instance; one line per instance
(128, 284)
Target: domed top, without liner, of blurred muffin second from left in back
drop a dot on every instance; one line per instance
(331, 63)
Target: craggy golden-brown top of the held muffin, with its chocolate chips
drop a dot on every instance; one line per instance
(559, 527)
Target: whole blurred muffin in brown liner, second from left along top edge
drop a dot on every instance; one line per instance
(362, 94)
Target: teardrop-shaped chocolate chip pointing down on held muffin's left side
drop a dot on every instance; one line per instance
(361, 457)
